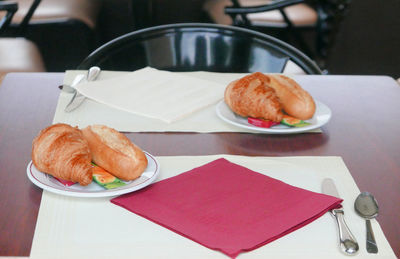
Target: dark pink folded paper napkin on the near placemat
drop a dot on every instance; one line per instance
(227, 207)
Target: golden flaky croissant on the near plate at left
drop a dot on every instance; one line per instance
(60, 150)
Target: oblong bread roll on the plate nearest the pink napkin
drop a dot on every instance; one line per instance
(114, 152)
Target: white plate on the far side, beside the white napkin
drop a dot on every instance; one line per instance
(322, 116)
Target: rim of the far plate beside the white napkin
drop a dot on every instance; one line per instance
(271, 130)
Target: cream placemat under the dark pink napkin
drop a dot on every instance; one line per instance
(70, 227)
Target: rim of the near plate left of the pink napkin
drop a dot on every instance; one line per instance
(99, 194)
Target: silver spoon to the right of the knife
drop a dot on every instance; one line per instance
(367, 207)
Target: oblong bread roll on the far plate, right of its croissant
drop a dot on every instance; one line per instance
(295, 101)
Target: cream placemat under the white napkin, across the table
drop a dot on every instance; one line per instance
(90, 112)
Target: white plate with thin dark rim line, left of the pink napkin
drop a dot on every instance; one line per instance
(47, 182)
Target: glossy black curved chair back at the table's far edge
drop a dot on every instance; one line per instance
(199, 47)
